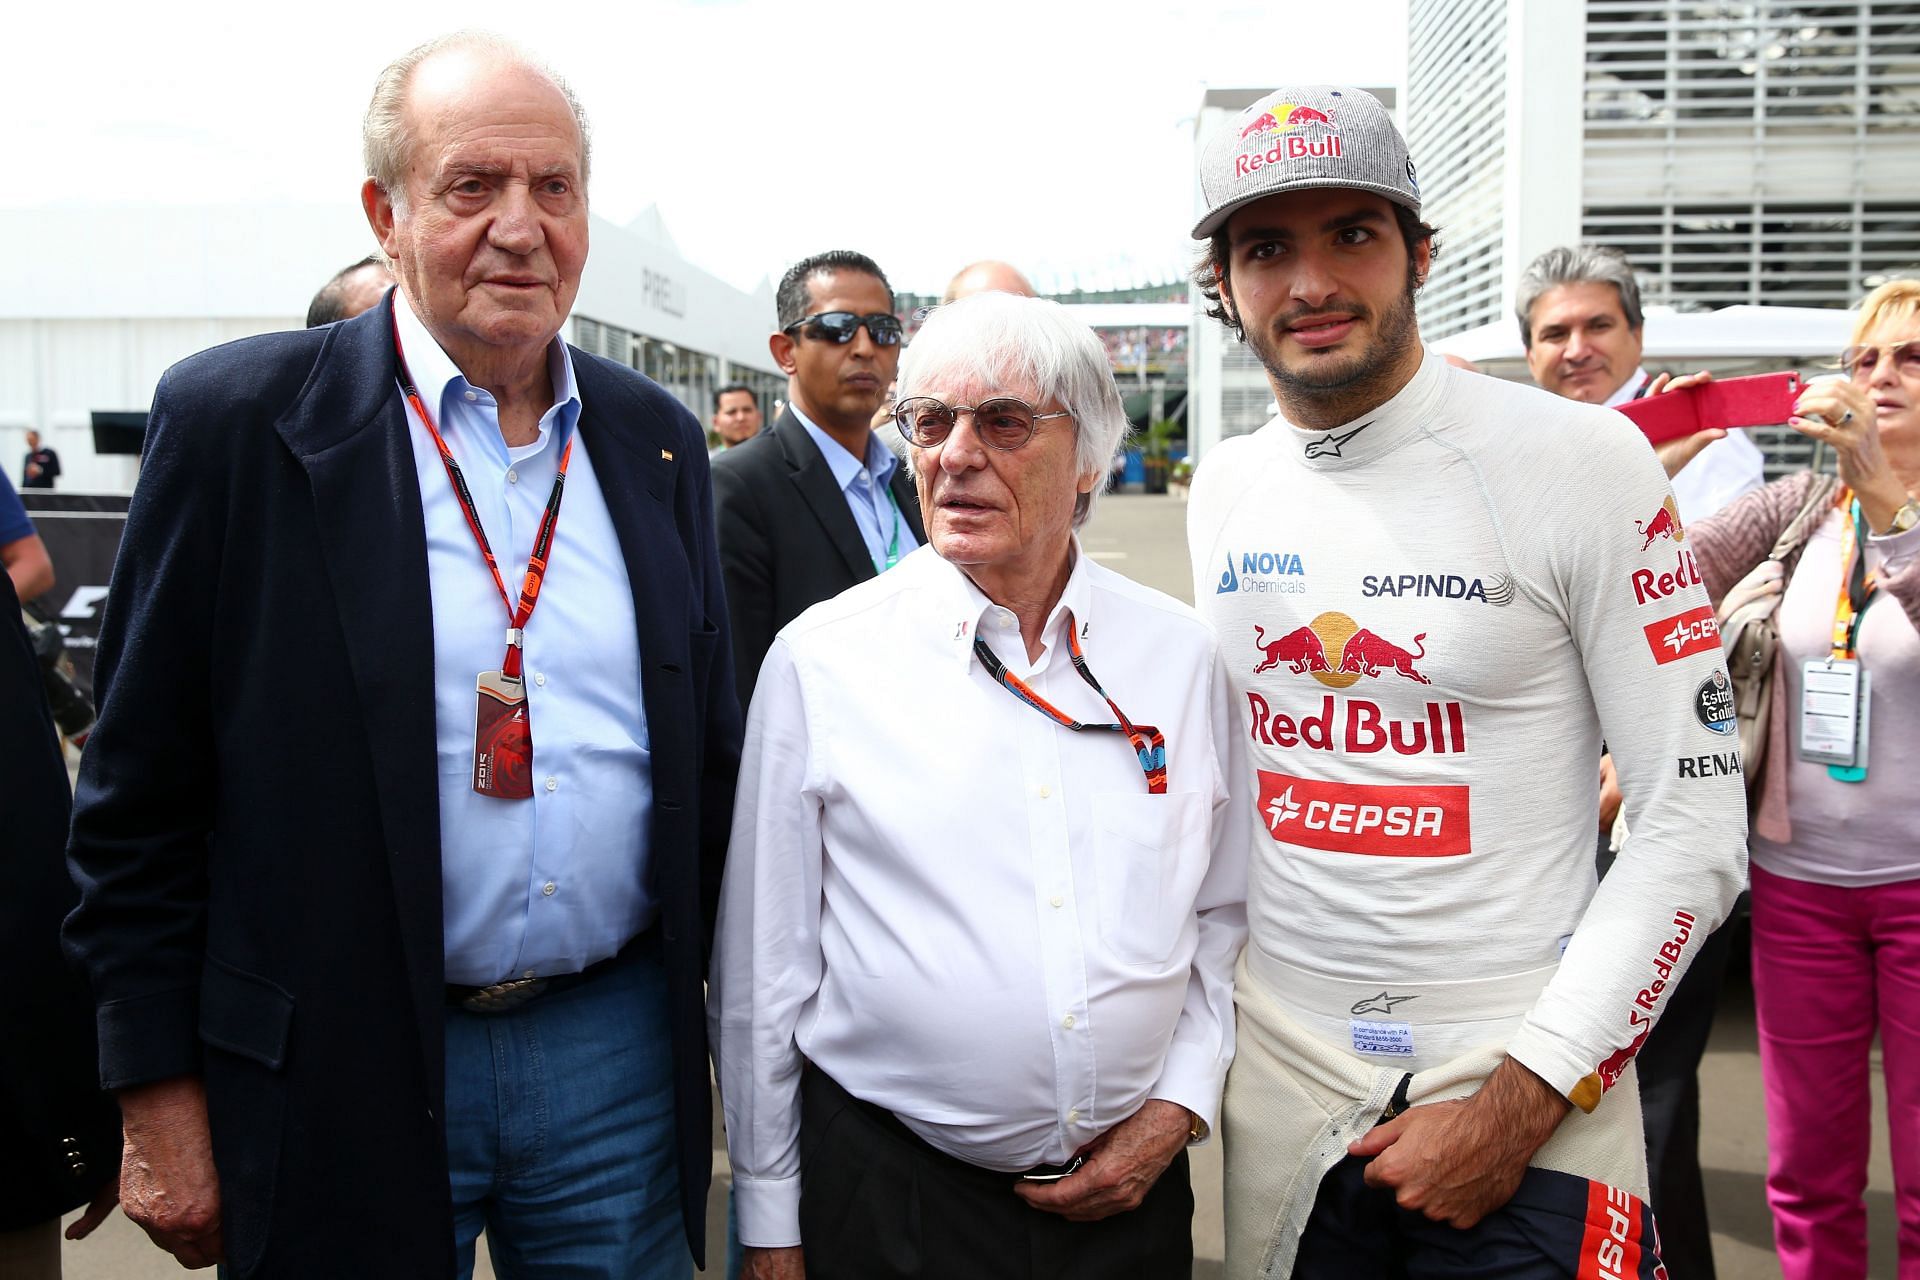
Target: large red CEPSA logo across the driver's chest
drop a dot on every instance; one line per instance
(1353, 818)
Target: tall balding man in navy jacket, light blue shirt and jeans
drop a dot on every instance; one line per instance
(283, 849)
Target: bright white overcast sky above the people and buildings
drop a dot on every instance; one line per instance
(928, 135)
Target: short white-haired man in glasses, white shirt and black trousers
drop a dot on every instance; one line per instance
(972, 991)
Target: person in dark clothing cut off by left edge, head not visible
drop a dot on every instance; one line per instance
(60, 1141)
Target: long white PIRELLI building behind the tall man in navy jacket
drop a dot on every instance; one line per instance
(110, 296)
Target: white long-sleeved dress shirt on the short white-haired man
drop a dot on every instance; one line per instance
(957, 909)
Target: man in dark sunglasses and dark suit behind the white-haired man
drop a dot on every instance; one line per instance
(817, 504)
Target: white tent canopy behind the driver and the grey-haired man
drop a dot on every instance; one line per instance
(1733, 341)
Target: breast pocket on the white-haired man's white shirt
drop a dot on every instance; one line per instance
(1149, 861)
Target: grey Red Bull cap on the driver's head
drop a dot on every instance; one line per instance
(1299, 137)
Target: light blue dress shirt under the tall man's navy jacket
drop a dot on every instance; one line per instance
(554, 884)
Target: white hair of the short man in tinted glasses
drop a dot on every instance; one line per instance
(1026, 346)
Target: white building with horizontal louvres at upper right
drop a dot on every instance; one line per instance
(1764, 153)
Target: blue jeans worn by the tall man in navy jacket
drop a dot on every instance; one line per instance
(562, 1133)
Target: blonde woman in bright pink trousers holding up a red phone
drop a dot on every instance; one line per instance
(1836, 868)
